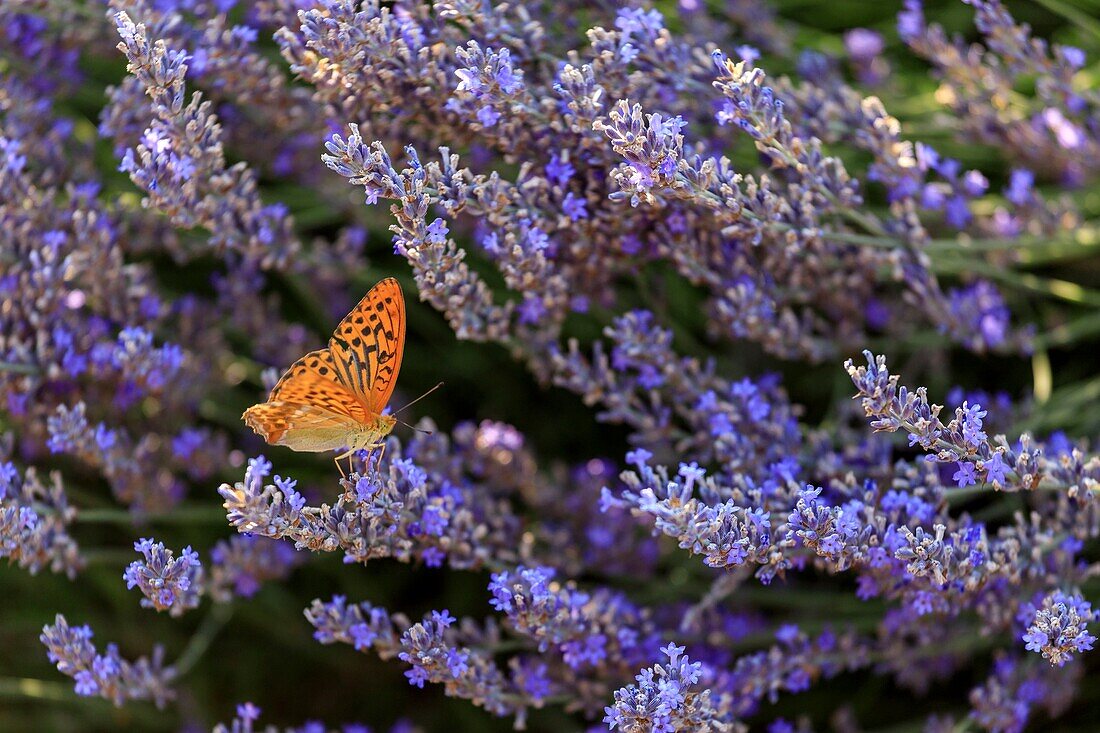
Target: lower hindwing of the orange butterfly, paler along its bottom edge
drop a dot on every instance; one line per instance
(307, 412)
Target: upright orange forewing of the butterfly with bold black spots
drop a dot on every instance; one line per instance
(369, 344)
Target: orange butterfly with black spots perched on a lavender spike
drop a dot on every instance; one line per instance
(335, 398)
